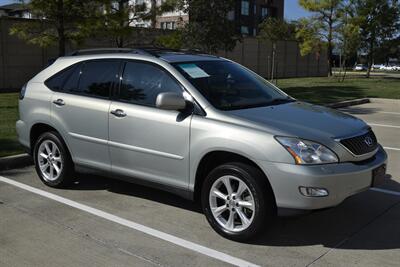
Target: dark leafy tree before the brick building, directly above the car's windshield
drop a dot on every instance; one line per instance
(210, 28)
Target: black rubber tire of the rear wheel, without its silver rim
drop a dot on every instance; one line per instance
(66, 171)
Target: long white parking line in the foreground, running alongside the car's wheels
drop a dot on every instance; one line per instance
(136, 226)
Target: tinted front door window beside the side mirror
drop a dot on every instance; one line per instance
(142, 82)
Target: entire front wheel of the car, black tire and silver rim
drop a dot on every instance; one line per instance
(228, 219)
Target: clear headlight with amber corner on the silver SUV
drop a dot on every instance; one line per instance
(307, 152)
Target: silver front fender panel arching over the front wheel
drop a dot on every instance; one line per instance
(209, 135)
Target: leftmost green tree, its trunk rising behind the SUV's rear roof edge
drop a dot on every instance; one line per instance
(59, 23)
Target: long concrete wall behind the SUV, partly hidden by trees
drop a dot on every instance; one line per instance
(20, 61)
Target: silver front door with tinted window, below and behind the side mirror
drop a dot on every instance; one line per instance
(147, 142)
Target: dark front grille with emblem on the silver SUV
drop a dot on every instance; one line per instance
(361, 144)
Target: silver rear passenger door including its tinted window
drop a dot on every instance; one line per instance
(81, 110)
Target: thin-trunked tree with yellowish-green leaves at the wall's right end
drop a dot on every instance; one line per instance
(323, 22)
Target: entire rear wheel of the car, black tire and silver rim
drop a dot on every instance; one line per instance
(51, 145)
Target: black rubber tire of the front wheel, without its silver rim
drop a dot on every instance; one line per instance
(263, 205)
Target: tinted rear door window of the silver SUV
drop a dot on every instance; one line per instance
(97, 77)
